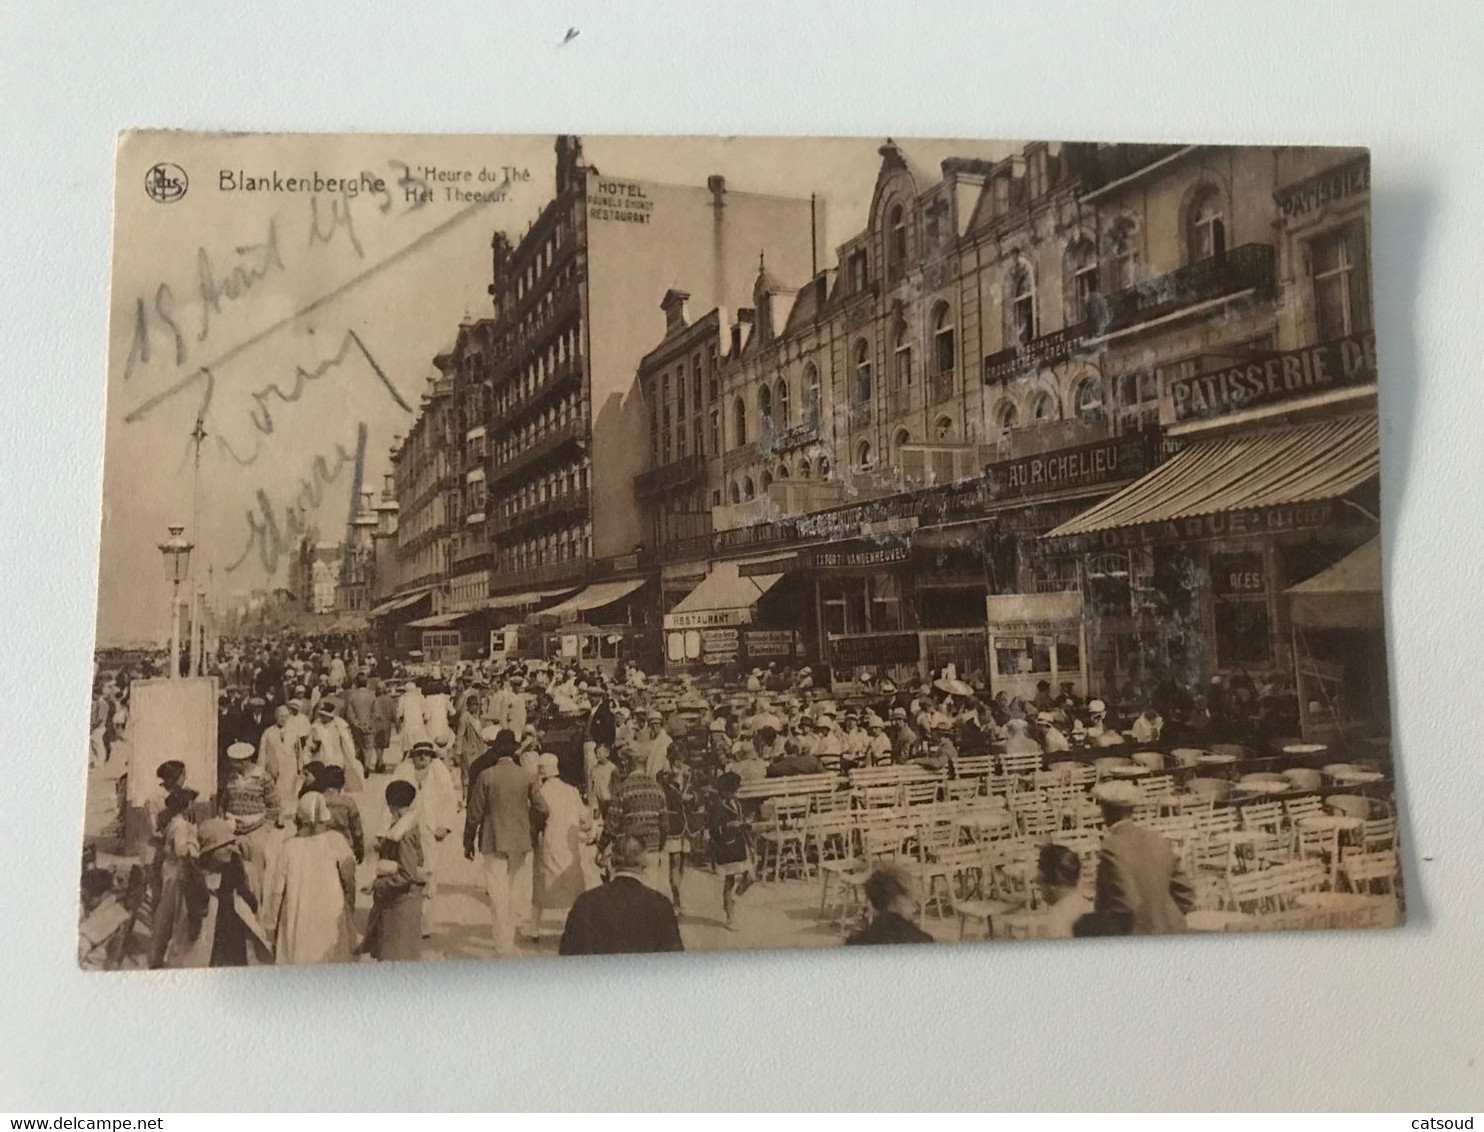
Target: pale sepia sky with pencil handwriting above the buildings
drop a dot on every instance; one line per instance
(305, 323)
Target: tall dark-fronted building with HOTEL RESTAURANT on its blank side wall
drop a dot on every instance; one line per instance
(542, 392)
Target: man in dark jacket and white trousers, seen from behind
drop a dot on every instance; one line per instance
(502, 802)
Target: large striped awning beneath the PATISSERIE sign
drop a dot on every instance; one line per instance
(1284, 467)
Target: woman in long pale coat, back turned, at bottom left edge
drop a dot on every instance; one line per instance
(312, 891)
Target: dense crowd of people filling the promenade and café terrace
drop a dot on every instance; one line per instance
(582, 797)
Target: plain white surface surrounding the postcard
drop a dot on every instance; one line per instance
(1329, 1021)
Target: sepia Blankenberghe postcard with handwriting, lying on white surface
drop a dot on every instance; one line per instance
(532, 547)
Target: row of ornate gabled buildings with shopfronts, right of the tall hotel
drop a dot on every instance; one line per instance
(999, 349)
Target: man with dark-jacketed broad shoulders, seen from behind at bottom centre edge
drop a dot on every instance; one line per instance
(624, 915)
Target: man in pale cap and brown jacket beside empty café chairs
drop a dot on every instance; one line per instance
(1142, 888)
